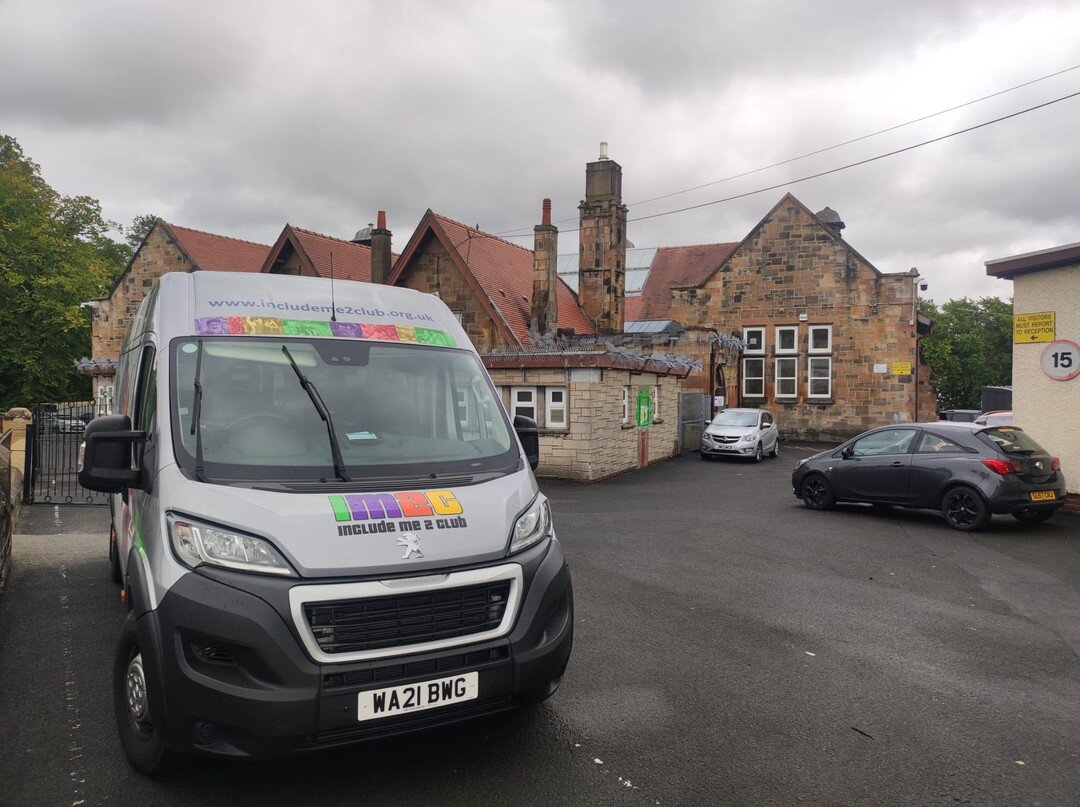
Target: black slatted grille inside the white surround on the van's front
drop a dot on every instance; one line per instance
(373, 624)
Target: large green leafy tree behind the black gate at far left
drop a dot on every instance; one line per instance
(56, 254)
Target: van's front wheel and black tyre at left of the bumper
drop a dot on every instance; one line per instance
(142, 743)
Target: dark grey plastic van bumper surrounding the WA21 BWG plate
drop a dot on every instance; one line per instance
(228, 676)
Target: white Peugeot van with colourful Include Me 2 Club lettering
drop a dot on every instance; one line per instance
(325, 526)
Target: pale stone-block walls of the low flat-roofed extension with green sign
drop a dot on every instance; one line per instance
(597, 443)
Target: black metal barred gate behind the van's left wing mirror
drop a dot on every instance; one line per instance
(52, 461)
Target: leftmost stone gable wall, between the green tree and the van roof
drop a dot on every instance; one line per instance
(110, 325)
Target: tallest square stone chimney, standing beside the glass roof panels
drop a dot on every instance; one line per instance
(602, 268)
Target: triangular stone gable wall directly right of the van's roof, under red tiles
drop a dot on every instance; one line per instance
(433, 265)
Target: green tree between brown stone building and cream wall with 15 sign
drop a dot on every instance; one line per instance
(969, 347)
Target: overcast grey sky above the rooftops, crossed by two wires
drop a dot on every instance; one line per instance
(240, 117)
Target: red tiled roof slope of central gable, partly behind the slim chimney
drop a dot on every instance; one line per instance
(505, 272)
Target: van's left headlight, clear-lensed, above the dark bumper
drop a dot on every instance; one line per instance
(196, 544)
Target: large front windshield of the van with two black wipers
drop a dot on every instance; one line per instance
(398, 410)
